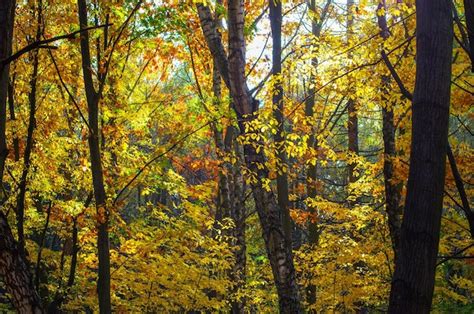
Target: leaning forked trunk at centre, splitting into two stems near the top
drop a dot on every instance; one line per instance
(232, 70)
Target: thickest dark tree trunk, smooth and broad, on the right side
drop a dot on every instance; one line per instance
(413, 281)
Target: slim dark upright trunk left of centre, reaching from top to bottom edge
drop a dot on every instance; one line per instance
(103, 282)
